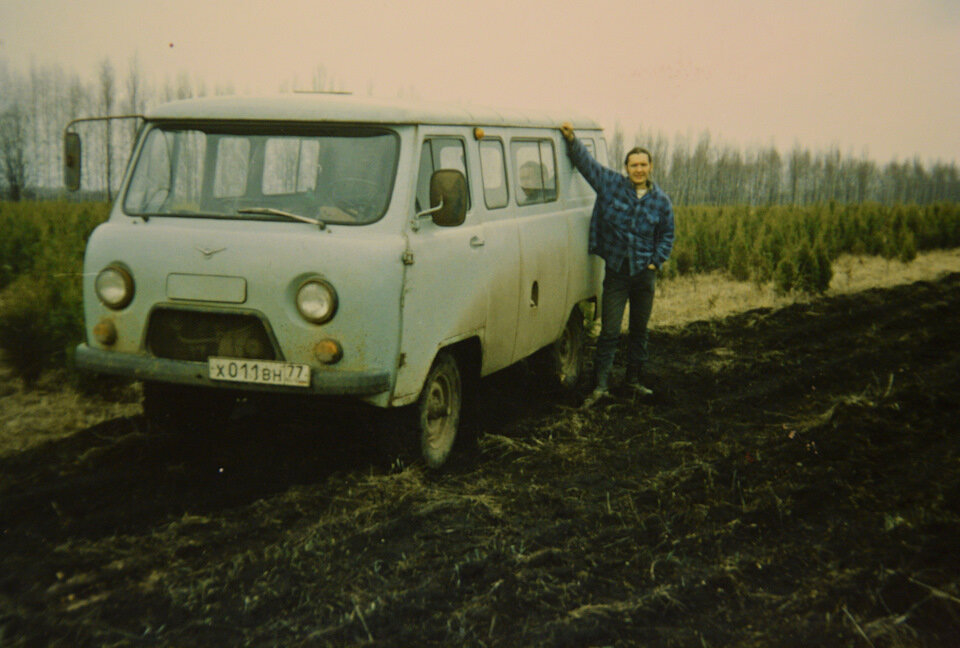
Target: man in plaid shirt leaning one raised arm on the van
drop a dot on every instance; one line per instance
(632, 231)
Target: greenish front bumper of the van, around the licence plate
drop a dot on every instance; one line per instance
(142, 367)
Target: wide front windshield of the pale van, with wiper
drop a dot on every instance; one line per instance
(333, 175)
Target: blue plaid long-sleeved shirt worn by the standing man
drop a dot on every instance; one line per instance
(627, 232)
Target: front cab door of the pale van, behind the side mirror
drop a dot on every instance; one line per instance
(445, 295)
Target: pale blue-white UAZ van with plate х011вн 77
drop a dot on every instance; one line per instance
(322, 244)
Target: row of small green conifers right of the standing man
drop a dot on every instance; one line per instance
(794, 246)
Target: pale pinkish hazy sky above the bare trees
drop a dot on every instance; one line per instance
(879, 78)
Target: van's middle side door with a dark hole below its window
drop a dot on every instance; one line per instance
(544, 245)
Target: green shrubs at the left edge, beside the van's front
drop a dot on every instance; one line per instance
(41, 266)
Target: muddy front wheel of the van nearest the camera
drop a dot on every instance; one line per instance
(439, 409)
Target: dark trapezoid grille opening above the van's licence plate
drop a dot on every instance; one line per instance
(192, 335)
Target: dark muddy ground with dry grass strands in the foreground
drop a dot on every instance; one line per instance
(795, 481)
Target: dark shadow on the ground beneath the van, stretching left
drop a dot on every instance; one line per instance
(125, 476)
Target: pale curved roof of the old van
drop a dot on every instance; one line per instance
(347, 108)
